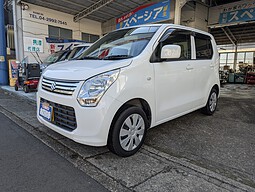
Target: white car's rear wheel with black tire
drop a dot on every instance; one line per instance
(212, 103)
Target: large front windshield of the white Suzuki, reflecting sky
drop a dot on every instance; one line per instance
(121, 44)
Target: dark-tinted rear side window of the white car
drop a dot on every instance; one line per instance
(204, 48)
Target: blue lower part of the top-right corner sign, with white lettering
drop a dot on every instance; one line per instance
(237, 16)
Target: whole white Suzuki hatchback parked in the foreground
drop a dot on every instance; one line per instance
(130, 80)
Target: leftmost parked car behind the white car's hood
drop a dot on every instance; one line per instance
(54, 58)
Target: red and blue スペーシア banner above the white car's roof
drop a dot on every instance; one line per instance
(150, 13)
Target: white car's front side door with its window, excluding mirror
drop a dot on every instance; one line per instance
(174, 79)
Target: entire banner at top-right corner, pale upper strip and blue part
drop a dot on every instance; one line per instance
(238, 13)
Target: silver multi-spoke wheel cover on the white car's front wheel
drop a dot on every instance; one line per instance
(132, 132)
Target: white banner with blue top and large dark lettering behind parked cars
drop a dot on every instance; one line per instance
(62, 44)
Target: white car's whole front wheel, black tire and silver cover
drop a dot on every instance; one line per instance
(134, 135)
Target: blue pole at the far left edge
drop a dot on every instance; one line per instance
(3, 62)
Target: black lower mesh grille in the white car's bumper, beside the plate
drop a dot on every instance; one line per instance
(64, 116)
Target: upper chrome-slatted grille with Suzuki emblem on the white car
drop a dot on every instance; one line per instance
(59, 87)
